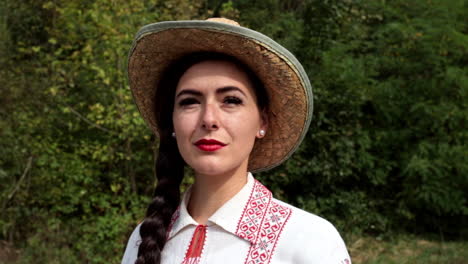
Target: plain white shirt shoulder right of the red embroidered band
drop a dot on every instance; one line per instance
(311, 239)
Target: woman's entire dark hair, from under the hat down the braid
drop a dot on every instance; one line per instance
(169, 163)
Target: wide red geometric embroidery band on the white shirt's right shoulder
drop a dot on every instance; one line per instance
(261, 223)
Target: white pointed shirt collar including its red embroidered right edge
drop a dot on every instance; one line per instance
(243, 215)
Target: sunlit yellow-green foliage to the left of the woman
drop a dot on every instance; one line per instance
(76, 156)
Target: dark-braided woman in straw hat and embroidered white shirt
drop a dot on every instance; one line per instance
(224, 100)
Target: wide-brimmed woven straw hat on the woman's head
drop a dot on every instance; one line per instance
(290, 109)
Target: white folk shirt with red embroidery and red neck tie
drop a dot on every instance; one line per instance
(252, 228)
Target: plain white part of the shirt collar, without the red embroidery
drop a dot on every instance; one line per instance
(227, 217)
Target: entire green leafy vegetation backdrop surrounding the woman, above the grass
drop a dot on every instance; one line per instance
(386, 151)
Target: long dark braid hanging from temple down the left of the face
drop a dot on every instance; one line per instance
(169, 168)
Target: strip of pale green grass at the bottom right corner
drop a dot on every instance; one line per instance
(407, 249)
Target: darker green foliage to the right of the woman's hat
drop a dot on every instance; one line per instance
(388, 142)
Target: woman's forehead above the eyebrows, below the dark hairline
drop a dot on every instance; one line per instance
(215, 74)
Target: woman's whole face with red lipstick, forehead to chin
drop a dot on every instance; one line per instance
(216, 118)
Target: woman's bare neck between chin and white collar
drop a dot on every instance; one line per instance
(210, 192)
